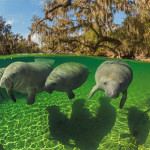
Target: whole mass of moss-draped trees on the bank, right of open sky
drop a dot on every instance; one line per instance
(86, 27)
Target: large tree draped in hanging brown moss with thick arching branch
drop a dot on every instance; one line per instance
(67, 22)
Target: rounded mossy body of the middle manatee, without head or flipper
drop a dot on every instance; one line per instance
(70, 75)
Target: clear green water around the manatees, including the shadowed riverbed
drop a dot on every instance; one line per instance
(56, 123)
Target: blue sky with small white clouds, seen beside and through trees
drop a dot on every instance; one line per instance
(18, 13)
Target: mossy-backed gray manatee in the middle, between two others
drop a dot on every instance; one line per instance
(66, 77)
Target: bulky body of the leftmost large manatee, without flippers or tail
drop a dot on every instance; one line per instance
(21, 76)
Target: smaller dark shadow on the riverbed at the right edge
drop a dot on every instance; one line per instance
(139, 126)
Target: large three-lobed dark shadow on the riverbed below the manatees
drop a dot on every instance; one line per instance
(85, 130)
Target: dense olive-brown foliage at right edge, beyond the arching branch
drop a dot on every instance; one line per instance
(135, 36)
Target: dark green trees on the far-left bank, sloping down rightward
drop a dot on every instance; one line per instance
(11, 43)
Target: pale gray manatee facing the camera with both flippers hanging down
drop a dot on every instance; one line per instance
(113, 77)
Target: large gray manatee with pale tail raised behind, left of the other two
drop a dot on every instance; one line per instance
(27, 78)
